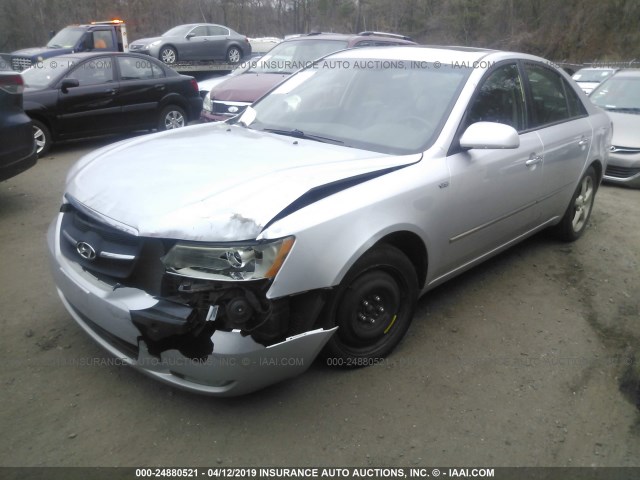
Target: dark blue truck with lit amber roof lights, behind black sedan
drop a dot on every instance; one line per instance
(108, 36)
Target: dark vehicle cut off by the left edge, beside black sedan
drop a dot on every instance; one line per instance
(17, 148)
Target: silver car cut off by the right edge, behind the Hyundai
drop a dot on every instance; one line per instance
(620, 96)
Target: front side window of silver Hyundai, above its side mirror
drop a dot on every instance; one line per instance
(500, 99)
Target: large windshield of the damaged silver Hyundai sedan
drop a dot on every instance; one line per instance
(378, 105)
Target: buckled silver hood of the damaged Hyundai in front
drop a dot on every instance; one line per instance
(212, 182)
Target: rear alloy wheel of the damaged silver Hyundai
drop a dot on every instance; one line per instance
(575, 219)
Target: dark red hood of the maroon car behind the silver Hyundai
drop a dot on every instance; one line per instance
(247, 87)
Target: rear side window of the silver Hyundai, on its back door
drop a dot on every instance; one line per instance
(553, 100)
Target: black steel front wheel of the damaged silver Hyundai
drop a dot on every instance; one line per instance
(372, 308)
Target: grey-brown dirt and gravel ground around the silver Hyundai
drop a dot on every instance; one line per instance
(529, 359)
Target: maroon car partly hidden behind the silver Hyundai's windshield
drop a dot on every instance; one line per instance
(232, 96)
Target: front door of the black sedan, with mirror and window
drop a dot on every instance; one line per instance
(92, 107)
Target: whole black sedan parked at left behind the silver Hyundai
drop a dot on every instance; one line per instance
(87, 94)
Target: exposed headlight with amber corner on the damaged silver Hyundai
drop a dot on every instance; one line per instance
(245, 261)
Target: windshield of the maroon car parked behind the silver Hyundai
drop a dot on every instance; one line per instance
(288, 57)
